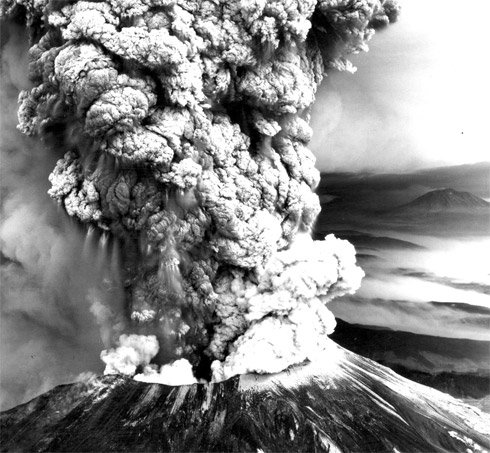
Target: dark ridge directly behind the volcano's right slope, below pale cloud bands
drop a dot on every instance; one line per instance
(460, 367)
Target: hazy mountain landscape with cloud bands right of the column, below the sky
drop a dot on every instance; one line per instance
(423, 239)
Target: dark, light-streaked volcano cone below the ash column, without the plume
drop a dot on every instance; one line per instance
(341, 402)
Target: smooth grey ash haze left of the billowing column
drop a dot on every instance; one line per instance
(61, 299)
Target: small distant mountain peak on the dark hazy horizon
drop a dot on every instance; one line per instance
(445, 200)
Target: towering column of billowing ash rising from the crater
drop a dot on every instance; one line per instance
(185, 131)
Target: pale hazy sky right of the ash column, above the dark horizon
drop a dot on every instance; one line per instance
(420, 97)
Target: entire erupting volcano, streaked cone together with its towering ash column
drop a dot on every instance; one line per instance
(181, 133)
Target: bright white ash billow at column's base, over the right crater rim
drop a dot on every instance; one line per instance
(283, 318)
